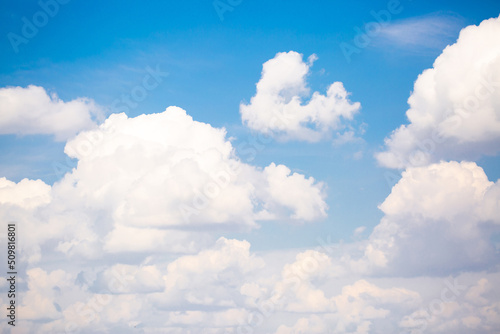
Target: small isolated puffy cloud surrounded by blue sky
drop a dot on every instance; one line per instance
(279, 107)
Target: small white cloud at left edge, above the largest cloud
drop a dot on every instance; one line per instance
(31, 110)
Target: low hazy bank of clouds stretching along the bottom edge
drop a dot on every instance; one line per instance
(228, 289)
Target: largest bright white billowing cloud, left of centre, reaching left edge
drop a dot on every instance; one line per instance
(160, 183)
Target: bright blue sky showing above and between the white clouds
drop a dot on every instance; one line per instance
(101, 49)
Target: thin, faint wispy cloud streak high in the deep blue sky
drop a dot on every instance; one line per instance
(432, 31)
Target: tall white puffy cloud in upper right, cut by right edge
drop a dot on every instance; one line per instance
(455, 106)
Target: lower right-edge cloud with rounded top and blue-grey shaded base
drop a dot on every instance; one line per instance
(438, 219)
